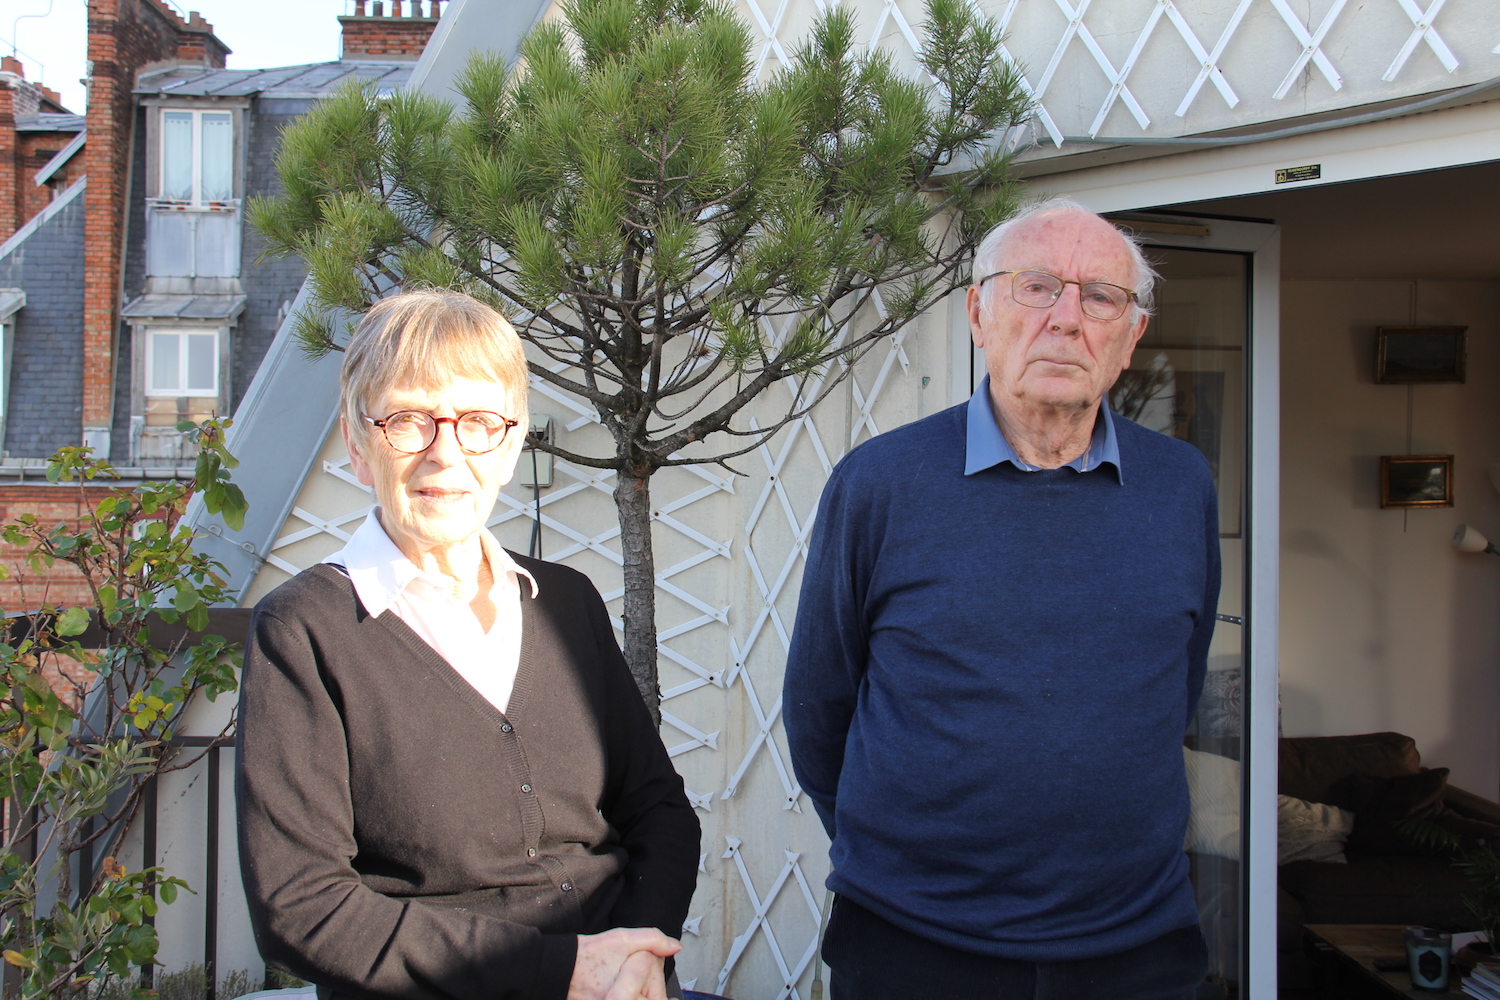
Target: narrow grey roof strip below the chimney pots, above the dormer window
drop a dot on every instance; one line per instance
(311, 82)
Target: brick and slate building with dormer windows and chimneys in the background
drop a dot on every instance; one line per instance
(131, 296)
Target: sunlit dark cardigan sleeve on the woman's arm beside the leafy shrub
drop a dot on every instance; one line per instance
(310, 909)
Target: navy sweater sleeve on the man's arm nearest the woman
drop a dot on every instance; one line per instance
(830, 647)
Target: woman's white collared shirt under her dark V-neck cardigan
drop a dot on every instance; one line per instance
(386, 579)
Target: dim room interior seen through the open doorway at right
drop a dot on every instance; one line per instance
(1385, 626)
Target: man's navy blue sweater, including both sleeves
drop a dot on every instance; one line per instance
(989, 684)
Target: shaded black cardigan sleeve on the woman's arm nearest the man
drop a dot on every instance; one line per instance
(644, 798)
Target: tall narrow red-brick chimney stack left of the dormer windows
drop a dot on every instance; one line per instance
(124, 37)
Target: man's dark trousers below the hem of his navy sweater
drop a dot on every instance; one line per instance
(871, 959)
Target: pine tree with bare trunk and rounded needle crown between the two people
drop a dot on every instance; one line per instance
(671, 236)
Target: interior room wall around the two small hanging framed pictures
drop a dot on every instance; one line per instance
(1384, 624)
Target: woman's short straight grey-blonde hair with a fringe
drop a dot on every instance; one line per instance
(424, 340)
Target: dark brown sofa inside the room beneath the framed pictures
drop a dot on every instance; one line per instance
(1388, 879)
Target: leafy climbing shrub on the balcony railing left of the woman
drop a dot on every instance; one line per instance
(73, 770)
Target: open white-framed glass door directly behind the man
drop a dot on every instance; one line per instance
(1205, 373)
